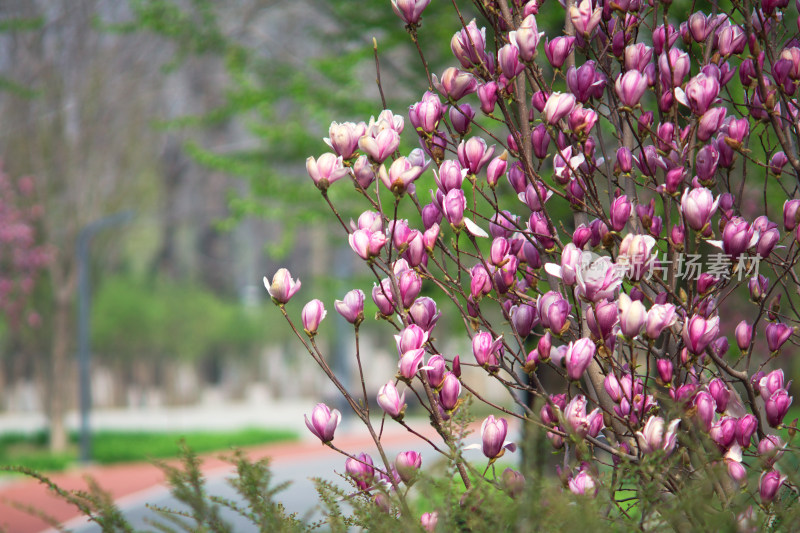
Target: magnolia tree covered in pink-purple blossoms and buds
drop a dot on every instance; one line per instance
(672, 147)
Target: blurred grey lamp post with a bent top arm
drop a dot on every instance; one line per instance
(84, 306)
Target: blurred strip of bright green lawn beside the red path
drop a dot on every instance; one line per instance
(121, 446)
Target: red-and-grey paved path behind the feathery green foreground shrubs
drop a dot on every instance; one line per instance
(132, 486)
